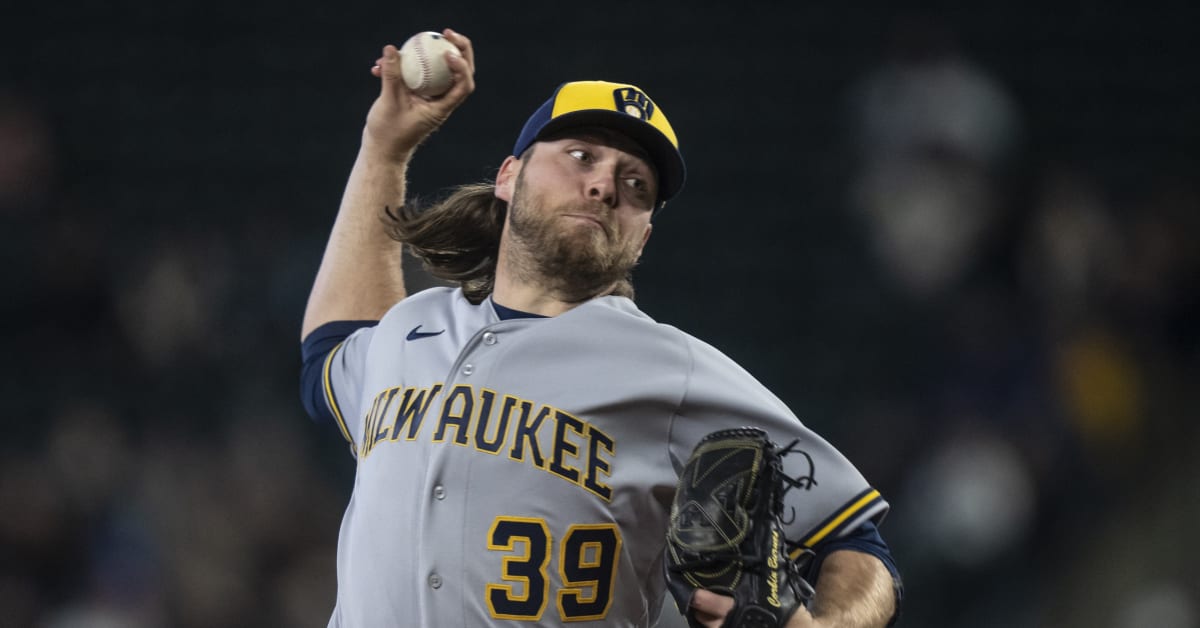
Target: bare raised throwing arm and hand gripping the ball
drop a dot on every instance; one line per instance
(361, 276)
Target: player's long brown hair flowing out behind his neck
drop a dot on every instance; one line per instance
(458, 240)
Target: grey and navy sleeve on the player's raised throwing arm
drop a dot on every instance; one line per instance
(332, 378)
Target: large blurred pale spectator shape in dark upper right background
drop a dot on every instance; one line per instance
(932, 131)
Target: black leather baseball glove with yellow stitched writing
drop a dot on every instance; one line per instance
(727, 534)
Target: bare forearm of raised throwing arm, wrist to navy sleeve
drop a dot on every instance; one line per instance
(361, 274)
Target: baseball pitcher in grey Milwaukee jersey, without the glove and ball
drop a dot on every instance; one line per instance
(519, 438)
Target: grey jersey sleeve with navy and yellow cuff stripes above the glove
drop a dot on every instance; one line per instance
(833, 499)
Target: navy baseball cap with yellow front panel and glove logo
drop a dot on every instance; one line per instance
(617, 106)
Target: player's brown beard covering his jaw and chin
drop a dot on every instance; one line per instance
(575, 262)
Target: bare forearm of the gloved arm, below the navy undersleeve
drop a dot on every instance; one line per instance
(854, 591)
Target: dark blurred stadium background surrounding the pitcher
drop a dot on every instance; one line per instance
(957, 240)
